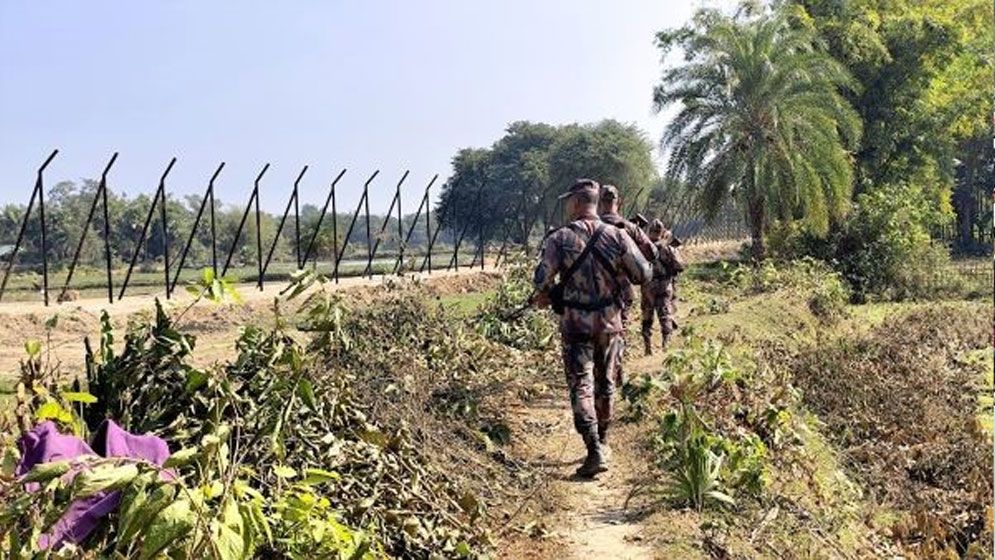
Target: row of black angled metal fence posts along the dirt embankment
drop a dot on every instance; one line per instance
(465, 236)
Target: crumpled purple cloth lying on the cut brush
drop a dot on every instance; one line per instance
(45, 444)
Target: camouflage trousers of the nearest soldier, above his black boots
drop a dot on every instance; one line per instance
(591, 363)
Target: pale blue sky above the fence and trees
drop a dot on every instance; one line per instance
(364, 85)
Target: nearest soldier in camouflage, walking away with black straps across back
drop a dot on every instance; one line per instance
(591, 323)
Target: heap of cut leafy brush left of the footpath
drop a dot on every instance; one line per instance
(336, 433)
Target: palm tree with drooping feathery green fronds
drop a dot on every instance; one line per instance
(762, 120)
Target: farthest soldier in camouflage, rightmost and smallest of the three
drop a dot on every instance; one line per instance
(658, 294)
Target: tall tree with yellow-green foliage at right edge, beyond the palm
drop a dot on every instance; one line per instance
(924, 69)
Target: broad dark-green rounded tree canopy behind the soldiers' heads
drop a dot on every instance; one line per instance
(511, 186)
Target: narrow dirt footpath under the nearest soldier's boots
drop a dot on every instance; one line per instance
(586, 519)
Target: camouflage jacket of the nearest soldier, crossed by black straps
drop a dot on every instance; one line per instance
(592, 282)
